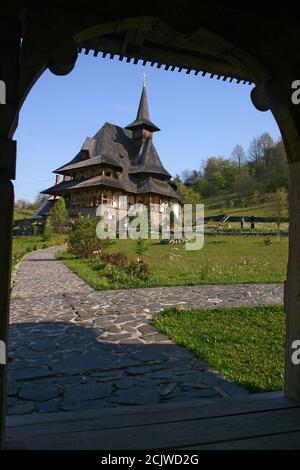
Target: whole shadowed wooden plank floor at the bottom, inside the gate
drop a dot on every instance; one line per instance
(199, 427)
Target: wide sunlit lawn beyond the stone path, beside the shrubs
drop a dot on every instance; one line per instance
(223, 260)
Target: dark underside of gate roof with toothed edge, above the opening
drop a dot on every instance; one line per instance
(139, 37)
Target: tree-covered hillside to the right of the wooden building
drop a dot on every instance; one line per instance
(248, 181)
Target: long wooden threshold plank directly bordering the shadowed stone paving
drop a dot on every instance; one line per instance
(109, 418)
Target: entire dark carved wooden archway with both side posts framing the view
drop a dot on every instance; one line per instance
(147, 39)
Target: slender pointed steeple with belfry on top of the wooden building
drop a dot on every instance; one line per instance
(142, 127)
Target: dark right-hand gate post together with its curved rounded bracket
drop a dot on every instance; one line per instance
(275, 95)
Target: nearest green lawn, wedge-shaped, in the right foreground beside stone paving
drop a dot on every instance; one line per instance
(245, 344)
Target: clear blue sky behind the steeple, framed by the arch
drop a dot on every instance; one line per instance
(198, 117)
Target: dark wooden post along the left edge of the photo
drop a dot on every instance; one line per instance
(10, 43)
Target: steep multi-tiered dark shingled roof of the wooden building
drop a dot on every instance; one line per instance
(113, 146)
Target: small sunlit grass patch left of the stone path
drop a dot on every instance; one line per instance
(26, 244)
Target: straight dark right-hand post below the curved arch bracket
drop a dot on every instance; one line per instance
(292, 286)
